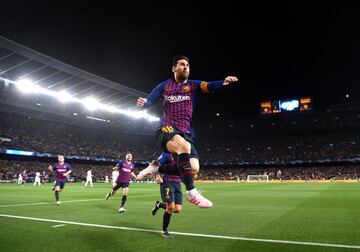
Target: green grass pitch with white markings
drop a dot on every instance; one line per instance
(275, 215)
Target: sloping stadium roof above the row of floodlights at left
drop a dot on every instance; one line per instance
(18, 62)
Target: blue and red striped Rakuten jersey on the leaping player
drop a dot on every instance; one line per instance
(179, 101)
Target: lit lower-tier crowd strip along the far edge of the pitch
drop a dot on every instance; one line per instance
(9, 170)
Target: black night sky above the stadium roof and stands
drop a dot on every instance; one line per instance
(279, 51)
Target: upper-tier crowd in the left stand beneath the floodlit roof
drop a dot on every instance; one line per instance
(28, 133)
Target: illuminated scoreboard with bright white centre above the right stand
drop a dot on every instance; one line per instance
(278, 106)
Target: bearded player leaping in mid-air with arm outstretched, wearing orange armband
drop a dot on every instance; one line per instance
(175, 134)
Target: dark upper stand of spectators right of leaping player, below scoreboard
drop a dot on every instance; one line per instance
(328, 134)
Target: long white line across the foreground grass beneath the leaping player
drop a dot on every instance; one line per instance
(332, 245)
